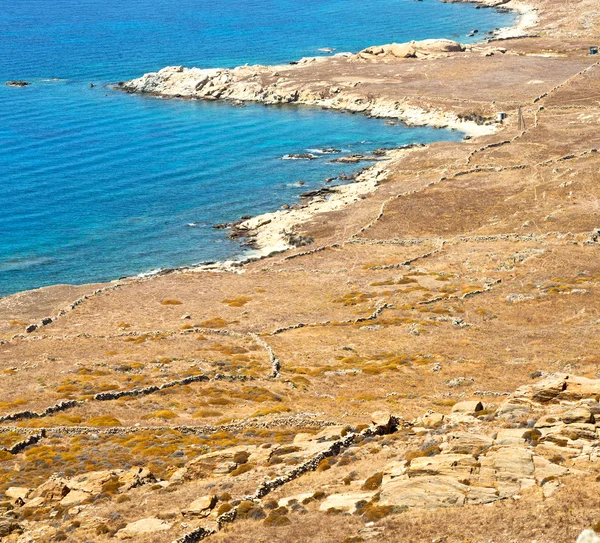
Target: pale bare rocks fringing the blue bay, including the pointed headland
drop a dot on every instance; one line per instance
(271, 233)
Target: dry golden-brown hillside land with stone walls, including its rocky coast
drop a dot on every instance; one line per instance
(423, 368)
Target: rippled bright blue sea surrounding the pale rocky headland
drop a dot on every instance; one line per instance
(95, 184)
